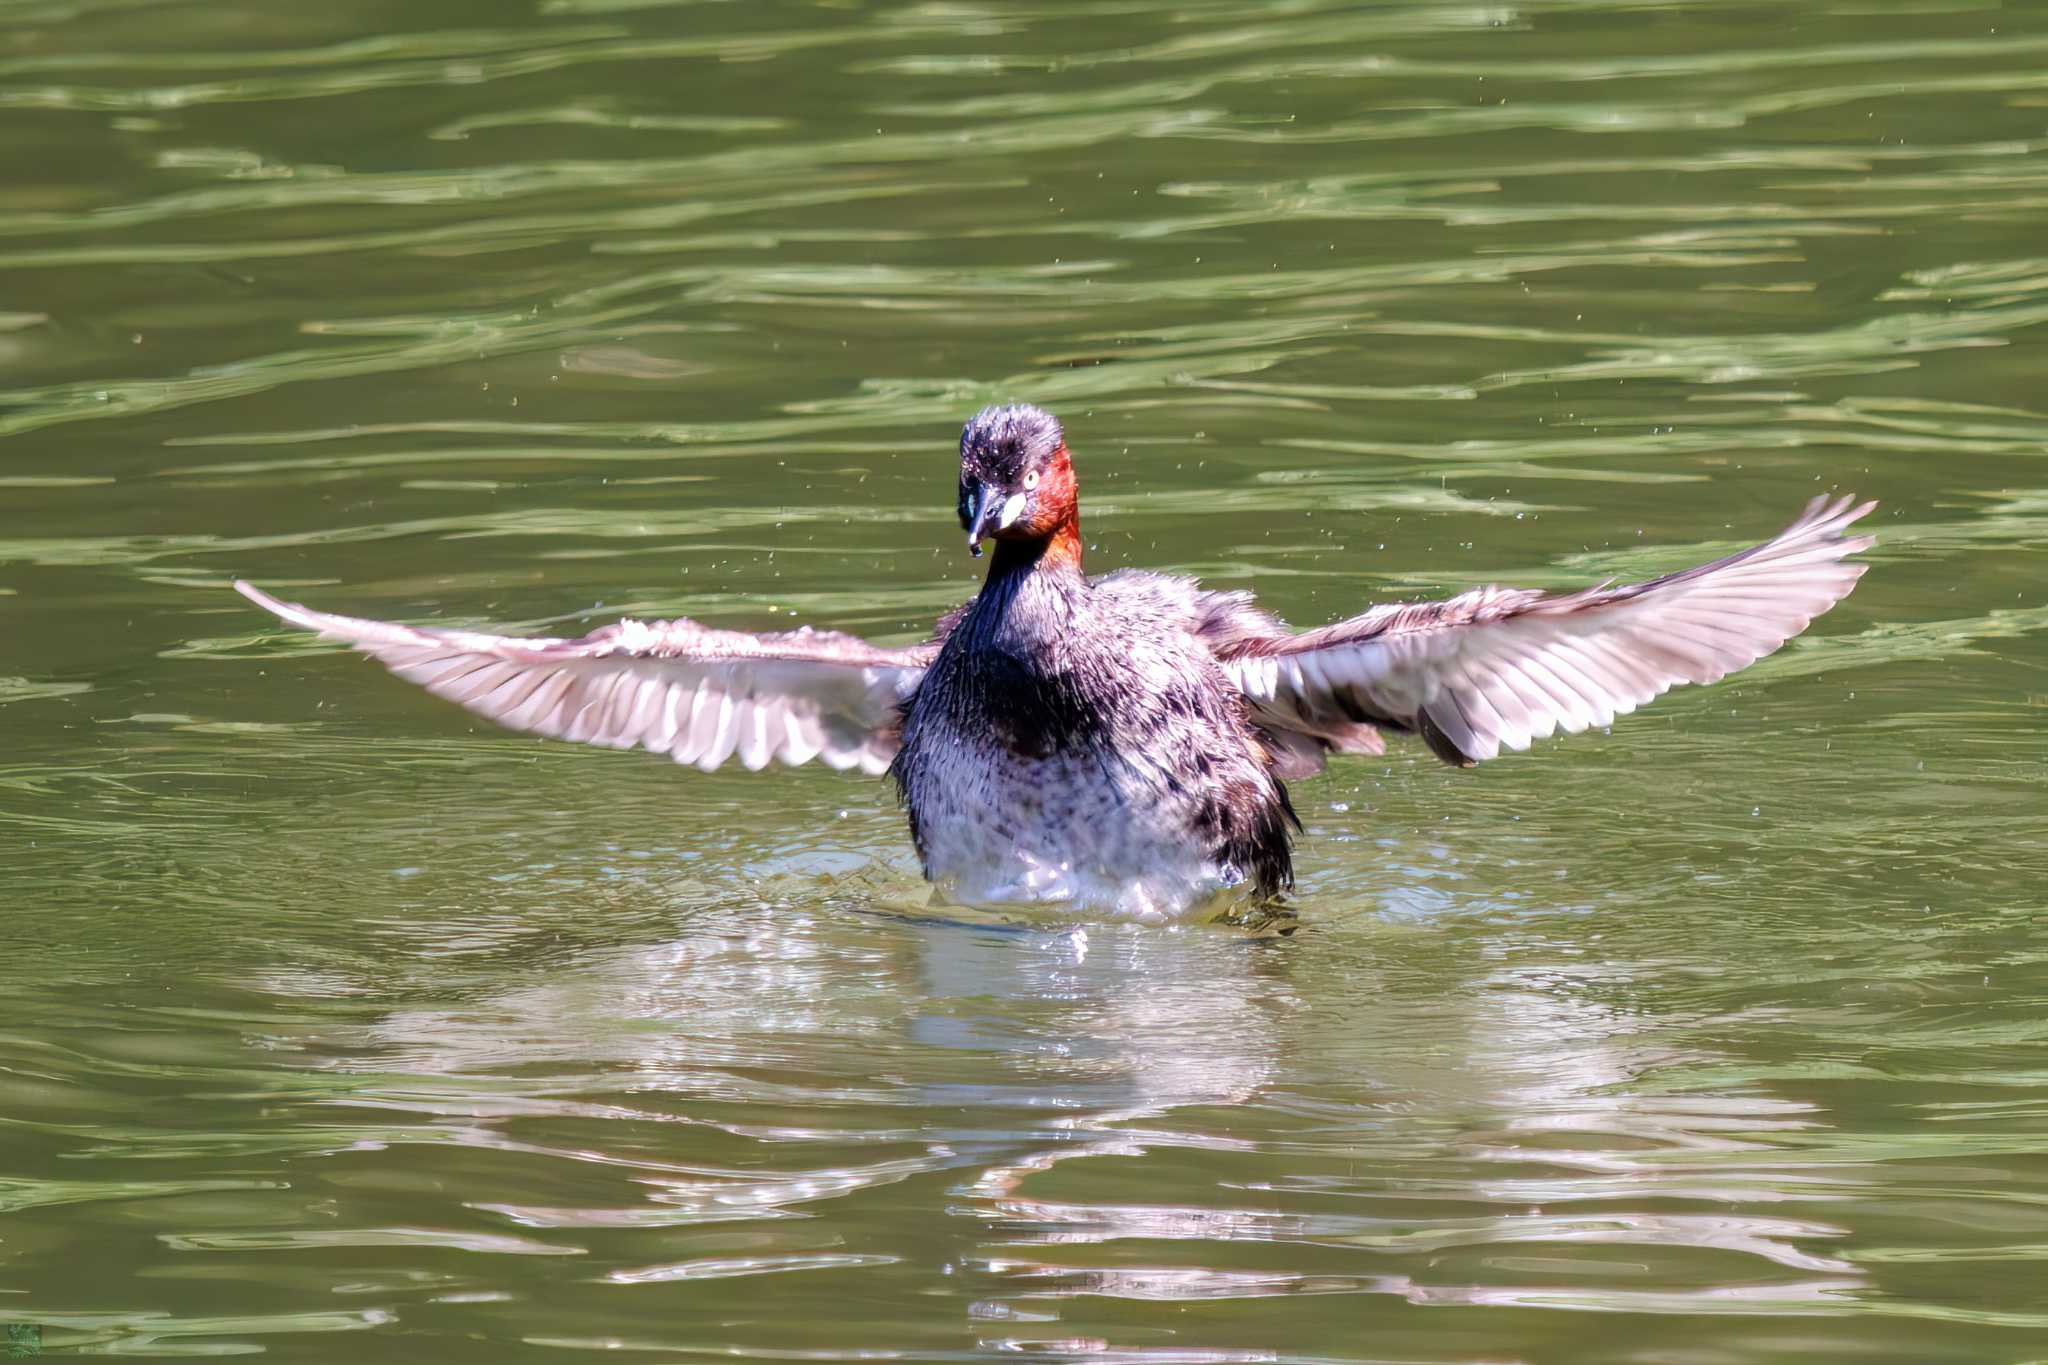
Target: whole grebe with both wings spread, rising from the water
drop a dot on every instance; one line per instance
(1121, 746)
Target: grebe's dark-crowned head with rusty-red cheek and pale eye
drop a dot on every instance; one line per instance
(1017, 480)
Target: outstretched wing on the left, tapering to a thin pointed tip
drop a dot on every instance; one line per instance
(669, 687)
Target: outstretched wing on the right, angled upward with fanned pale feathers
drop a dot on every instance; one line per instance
(1506, 666)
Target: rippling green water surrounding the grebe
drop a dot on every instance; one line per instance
(335, 1028)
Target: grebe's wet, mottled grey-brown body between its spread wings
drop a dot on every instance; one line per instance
(1076, 742)
